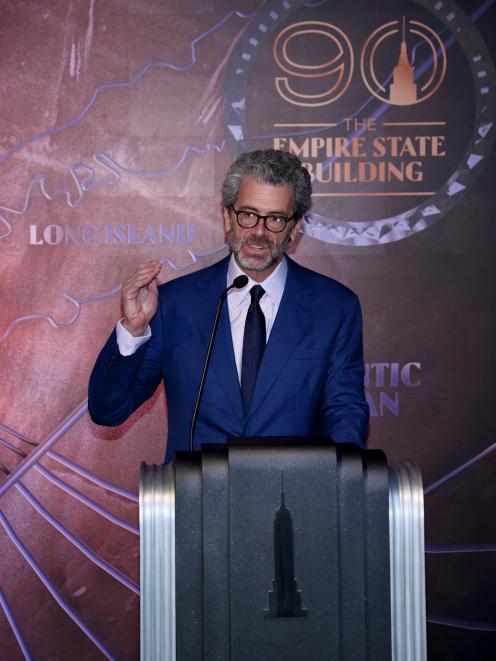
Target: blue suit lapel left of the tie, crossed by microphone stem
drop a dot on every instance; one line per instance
(222, 361)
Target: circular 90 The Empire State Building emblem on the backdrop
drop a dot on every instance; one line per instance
(391, 110)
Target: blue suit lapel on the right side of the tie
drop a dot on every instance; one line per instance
(291, 323)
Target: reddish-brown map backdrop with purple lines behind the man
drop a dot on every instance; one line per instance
(118, 121)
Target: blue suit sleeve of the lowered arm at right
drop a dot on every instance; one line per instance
(344, 409)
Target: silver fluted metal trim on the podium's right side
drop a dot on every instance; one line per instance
(407, 563)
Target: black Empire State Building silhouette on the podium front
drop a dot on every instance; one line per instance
(284, 598)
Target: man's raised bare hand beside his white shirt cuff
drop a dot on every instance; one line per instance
(139, 296)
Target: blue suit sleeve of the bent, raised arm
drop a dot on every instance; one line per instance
(120, 384)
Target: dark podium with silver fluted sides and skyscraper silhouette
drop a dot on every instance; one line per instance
(282, 549)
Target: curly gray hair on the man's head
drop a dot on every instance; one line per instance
(270, 166)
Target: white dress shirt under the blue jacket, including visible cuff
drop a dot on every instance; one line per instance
(238, 301)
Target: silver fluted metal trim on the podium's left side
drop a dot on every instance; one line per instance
(157, 563)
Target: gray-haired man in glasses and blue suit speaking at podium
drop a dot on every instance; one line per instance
(287, 358)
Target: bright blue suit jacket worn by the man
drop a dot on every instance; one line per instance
(310, 381)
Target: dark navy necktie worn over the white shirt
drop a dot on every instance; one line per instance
(253, 344)
